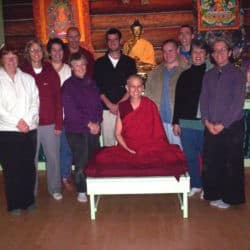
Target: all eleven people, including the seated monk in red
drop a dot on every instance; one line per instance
(66, 102)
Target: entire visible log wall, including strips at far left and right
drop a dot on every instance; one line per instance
(161, 20)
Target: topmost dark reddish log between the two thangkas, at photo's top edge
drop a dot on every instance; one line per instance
(114, 6)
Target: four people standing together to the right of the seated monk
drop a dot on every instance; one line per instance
(202, 111)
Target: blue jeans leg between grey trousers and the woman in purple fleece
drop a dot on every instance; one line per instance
(65, 156)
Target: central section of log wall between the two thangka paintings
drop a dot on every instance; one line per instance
(161, 20)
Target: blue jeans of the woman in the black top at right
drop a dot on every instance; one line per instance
(192, 143)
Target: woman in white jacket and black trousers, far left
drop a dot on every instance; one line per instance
(19, 107)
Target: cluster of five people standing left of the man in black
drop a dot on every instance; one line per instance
(35, 111)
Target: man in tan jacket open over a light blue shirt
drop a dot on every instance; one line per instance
(161, 84)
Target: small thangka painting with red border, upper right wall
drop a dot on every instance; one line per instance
(218, 14)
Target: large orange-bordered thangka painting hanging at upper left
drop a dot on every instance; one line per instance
(54, 17)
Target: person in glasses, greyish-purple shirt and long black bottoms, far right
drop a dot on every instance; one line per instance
(222, 99)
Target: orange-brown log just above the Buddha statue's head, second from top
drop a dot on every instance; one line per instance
(147, 20)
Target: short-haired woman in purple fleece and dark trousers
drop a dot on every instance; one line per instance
(83, 114)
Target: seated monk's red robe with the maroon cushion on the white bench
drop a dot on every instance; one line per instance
(143, 132)
